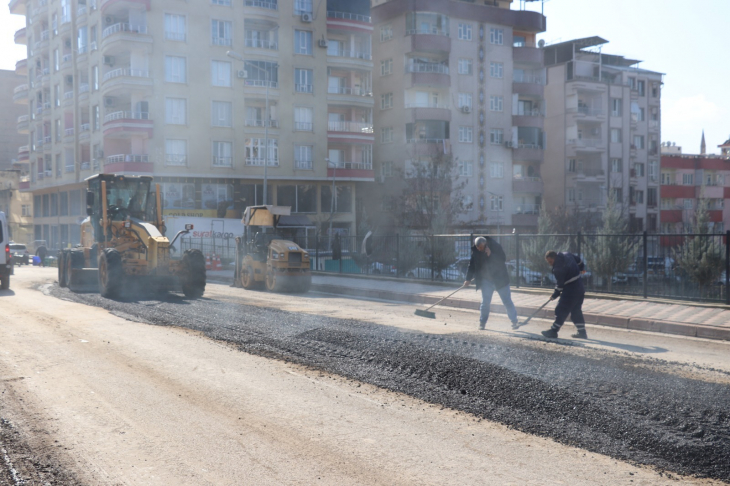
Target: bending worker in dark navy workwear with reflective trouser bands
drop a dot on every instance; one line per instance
(567, 269)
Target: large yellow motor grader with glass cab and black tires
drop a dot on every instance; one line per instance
(123, 243)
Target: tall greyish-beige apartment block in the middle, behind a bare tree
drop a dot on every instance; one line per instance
(463, 79)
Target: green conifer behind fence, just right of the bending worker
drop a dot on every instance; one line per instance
(612, 250)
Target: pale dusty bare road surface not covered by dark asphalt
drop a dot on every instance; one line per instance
(93, 397)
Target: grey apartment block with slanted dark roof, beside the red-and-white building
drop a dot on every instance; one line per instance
(603, 126)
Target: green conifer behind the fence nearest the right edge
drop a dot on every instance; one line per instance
(700, 257)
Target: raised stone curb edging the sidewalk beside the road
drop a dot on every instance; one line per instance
(621, 322)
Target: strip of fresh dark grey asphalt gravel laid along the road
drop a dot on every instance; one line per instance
(608, 402)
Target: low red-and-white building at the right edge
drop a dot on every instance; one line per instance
(686, 180)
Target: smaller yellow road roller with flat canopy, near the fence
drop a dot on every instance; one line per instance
(265, 259)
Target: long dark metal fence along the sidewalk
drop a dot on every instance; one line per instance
(678, 266)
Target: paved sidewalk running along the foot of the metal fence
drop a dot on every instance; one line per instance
(710, 321)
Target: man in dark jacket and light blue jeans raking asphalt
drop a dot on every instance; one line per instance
(487, 267)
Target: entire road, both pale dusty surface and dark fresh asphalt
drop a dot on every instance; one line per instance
(255, 388)
